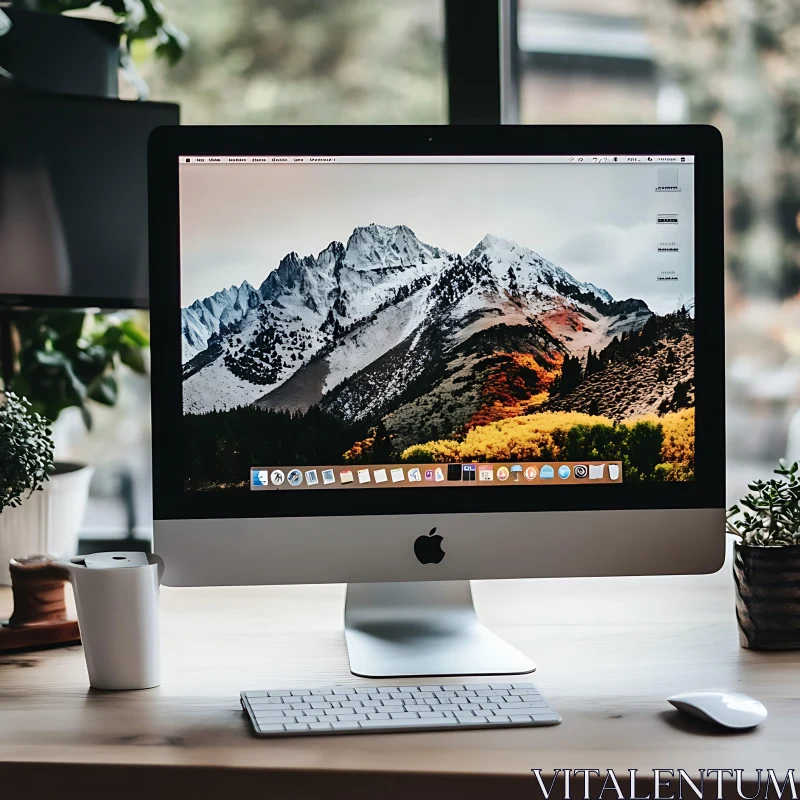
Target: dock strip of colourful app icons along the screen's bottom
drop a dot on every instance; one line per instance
(396, 476)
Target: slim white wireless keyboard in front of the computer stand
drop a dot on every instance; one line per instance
(389, 709)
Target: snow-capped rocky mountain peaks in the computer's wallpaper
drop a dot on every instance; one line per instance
(354, 327)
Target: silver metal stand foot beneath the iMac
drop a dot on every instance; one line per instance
(426, 628)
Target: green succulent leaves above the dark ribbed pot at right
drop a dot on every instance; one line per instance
(770, 515)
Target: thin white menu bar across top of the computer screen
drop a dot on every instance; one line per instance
(509, 159)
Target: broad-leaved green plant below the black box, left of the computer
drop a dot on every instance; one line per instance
(69, 358)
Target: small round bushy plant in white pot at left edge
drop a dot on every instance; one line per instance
(26, 461)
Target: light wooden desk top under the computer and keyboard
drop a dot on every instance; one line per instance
(608, 650)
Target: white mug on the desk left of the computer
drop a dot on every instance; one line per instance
(117, 596)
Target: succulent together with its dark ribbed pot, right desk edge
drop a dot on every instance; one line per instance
(766, 562)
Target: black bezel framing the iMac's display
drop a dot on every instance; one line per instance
(172, 502)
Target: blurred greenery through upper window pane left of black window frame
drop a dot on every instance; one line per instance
(304, 62)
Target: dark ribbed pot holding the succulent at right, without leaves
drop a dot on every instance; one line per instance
(768, 596)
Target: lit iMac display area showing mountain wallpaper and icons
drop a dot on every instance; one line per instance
(361, 323)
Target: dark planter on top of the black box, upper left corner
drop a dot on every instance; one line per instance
(67, 55)
